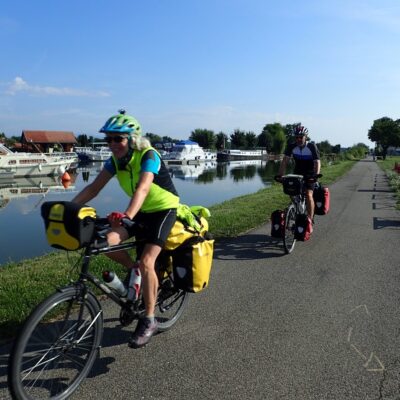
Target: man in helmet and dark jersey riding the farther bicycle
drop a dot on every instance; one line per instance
(307, 163)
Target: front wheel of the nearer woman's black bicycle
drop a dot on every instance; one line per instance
(56, 346)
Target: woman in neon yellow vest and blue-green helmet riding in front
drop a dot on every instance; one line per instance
(153, 202)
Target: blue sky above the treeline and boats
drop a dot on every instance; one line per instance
(178, 65)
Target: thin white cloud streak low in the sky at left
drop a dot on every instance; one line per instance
(19, 86)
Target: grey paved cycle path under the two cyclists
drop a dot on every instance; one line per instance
(321, 323)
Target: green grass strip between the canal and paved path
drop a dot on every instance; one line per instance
(26, 283)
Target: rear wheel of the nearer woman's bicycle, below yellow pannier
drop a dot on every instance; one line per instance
(171, 302)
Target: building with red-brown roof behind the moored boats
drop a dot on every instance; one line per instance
(47, 141)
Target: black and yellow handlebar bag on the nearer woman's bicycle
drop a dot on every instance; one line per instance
(69, 226)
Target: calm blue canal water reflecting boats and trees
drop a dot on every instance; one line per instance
(22, 229)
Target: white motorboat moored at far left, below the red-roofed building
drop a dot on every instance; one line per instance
(34, 164)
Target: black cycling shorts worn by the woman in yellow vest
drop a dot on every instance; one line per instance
(156, 226)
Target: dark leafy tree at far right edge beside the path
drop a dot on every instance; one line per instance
(385, 132)
